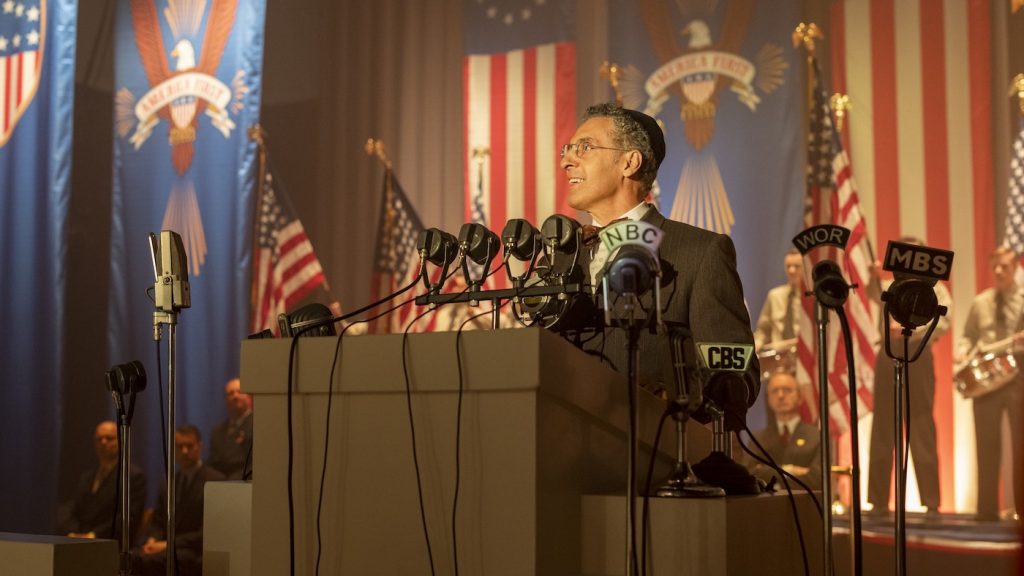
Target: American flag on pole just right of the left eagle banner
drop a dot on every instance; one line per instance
(286, 267)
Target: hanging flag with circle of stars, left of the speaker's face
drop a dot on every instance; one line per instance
(520, 107)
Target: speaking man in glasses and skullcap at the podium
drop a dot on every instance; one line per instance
(612, 164)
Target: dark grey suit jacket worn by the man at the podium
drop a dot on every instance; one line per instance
(701, 293)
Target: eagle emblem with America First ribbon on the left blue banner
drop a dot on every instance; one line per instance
(184, 89)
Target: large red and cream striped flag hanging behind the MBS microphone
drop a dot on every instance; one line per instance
(920, 135)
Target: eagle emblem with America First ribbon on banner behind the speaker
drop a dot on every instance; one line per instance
(699, 75)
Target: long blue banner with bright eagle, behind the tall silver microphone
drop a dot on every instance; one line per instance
(188, 90)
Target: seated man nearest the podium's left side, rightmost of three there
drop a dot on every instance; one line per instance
(231, 441)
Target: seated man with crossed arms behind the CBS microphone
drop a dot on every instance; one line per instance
(792, 443)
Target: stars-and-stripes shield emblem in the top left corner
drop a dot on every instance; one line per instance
(22, 25)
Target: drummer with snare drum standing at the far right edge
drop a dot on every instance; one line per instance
(994, 346)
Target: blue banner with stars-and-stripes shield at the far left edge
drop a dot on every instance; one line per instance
(35, 167)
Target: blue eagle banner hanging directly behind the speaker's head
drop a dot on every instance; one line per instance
(735, 74)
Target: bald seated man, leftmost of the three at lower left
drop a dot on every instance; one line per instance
(95, 512)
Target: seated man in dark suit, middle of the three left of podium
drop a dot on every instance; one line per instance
(190, 481)
